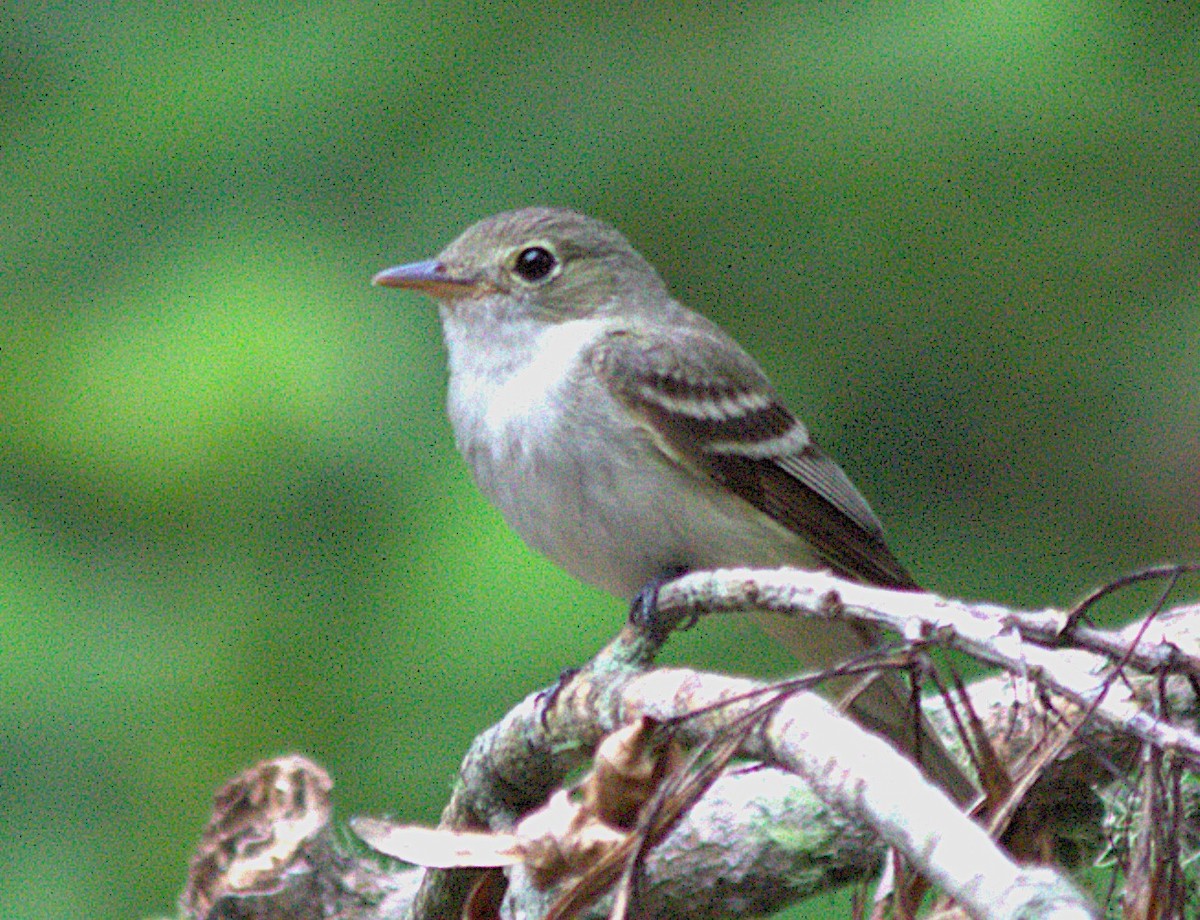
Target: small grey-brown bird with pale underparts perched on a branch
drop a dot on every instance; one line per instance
(631, 440)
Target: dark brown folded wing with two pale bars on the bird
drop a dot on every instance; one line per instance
(710, 408)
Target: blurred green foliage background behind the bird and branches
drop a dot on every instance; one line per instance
(963, 239)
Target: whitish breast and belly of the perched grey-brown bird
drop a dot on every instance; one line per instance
(583, 482)
